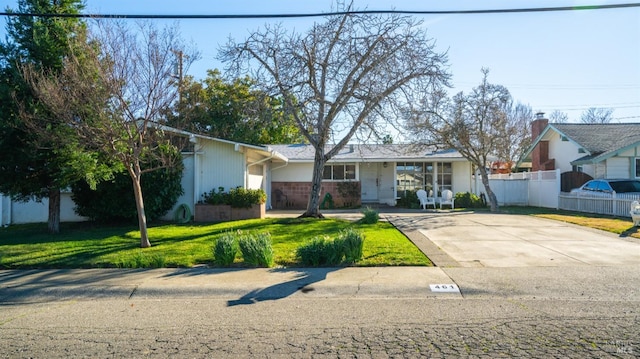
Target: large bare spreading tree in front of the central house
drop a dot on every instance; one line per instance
(346, 74)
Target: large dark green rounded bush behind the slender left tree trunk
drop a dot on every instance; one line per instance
(113, 201)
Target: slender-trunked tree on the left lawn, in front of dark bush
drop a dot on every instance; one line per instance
(114, 94)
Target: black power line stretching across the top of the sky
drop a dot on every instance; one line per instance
(334, 13)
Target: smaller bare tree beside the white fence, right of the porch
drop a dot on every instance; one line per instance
(482, 125)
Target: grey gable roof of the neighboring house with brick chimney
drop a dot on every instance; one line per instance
(600, 141)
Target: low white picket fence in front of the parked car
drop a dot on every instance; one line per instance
(614, 205)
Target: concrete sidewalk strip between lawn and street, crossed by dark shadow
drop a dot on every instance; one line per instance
(244, 285)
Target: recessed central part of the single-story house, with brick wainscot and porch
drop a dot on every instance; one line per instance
(379, 173)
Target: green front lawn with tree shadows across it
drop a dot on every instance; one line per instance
(84, 245)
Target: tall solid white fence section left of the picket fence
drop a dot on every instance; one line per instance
(538, 189)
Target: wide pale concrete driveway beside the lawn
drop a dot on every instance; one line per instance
(502, 240)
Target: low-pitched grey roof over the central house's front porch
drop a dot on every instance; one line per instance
(369, 153)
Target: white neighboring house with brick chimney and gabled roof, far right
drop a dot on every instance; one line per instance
(598, 150)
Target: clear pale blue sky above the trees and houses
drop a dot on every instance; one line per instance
(567, 61)
